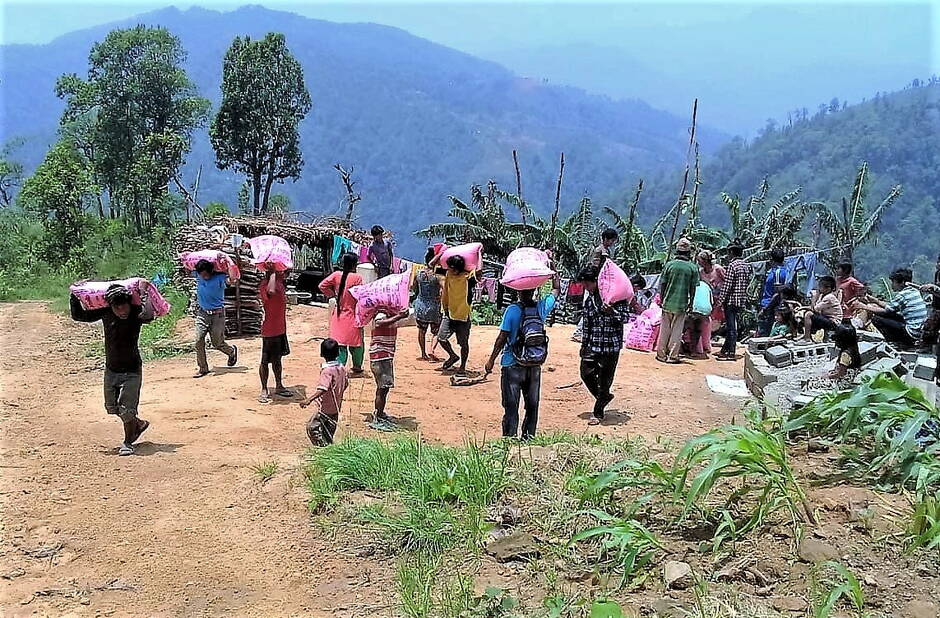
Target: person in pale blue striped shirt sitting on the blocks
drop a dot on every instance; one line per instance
(902, 319)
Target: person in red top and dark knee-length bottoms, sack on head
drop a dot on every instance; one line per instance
(274, 346)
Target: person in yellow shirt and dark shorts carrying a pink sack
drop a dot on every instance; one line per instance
(456, 298)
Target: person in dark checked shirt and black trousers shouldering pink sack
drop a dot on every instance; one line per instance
(601, 343)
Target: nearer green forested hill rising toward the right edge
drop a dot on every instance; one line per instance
(898, 134)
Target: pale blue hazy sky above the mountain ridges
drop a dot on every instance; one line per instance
(745, 61)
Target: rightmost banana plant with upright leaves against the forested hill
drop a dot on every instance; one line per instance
(851, 224)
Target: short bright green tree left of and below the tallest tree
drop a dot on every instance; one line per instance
(58, 193)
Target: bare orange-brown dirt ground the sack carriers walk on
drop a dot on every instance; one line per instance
(186, 527)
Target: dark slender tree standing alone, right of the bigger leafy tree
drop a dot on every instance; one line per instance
(264, 98)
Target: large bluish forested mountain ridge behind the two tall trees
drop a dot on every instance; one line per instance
(417, 120)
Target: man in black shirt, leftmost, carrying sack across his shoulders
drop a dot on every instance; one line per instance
(123, 375)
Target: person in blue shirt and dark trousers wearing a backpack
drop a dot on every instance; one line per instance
(521, 380)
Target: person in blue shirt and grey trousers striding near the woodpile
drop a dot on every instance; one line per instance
(210, 314)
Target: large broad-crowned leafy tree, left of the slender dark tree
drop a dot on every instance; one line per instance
(137, 110)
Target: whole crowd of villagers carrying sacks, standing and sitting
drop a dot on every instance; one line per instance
(699, 298)
